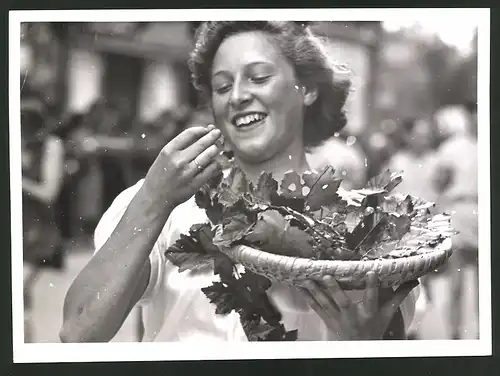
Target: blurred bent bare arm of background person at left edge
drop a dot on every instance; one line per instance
(52, 173)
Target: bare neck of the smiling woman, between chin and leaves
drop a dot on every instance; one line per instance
(278, 165)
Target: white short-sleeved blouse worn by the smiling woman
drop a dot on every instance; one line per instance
(175, 308)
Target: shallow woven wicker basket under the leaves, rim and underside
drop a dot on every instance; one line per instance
(351, 275)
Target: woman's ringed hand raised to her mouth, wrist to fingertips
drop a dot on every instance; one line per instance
(183, 166)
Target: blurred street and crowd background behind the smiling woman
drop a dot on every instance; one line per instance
(108, 86)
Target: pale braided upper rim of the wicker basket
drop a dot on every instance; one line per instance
(250, 254)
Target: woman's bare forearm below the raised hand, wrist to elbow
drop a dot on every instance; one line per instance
(106, 290)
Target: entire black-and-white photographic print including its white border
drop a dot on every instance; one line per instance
(185, 183)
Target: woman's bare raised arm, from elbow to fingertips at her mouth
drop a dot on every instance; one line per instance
(102, 295)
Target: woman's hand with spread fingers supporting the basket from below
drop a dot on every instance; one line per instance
(365, 320)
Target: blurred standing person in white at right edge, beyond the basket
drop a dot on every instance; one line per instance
(456, 181)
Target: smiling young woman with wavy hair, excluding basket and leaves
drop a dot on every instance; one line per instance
(273, 92)
